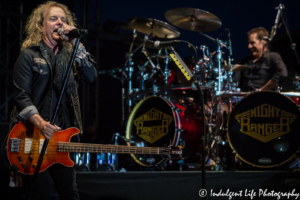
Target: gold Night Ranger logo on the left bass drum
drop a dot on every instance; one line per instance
(152, 125)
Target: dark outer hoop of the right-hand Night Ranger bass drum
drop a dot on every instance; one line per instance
(227, 134)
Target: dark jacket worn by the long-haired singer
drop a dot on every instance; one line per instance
(33, 79)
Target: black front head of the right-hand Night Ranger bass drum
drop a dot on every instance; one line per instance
(263, 129)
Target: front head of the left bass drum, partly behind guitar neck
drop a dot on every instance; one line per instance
(151, 124)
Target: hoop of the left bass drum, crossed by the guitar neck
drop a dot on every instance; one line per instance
(129, 126)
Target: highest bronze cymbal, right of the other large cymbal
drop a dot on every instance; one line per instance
(193, 19)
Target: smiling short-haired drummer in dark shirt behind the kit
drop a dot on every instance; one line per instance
(267, 68)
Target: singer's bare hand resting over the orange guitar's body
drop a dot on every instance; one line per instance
(46, 129)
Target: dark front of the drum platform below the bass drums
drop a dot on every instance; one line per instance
(185, 185)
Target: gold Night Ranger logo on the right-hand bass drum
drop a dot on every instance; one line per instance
(265, 122)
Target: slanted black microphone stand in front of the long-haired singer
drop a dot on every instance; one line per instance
(37, 169)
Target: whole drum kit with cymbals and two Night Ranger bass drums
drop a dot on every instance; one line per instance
(260, 127)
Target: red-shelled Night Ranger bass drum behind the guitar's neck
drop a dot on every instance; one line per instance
(158, 122)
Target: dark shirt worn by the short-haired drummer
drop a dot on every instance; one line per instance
(269, 66)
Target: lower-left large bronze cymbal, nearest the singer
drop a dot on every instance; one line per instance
(159, 28)
